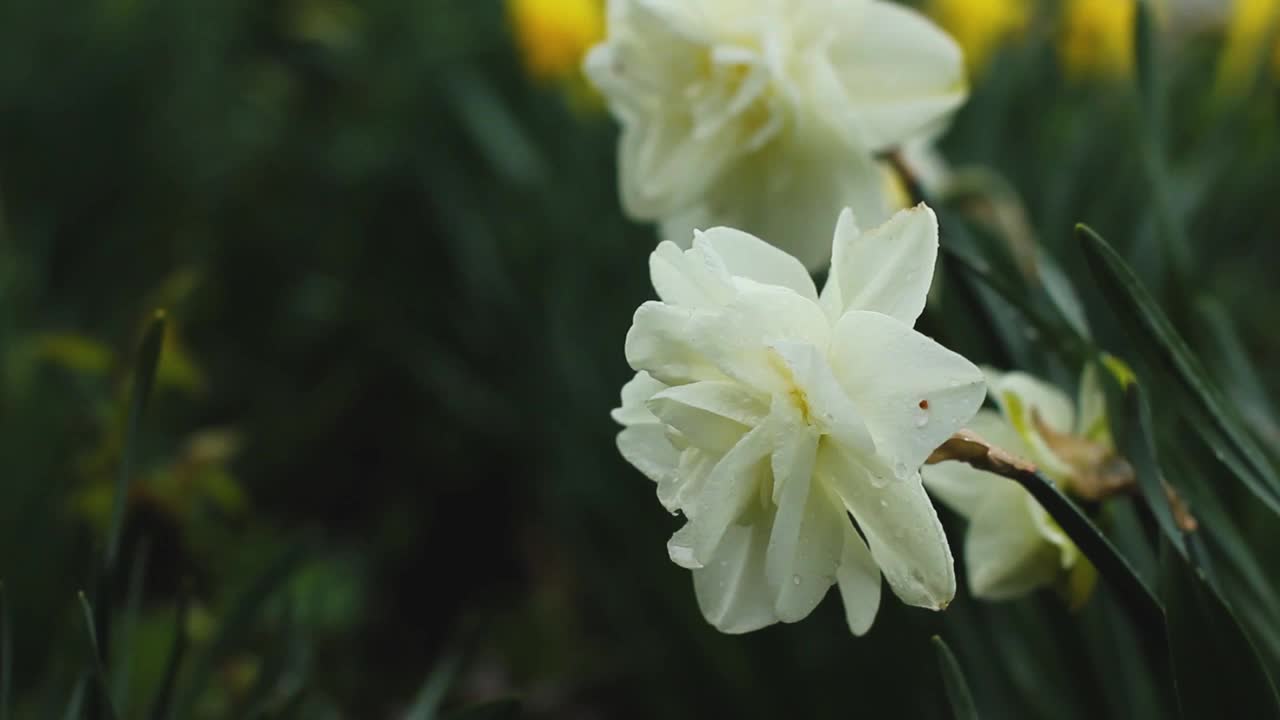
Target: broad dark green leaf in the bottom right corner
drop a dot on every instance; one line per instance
(1217, 666)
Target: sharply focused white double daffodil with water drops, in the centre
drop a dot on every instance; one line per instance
(769, 414)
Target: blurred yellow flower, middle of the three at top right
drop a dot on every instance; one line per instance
(1098, 38)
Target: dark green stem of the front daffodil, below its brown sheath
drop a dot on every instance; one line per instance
(1132, 594)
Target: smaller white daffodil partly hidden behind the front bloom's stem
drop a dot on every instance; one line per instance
(1013, 546)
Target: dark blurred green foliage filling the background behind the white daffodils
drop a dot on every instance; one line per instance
(399, 281)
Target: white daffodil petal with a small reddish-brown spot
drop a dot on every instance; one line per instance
(913, 394)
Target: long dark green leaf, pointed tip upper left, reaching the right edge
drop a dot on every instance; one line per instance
(1167, 349)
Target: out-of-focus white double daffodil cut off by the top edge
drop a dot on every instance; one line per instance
(767, 115)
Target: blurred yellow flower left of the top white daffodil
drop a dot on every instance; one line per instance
(554, 35)
